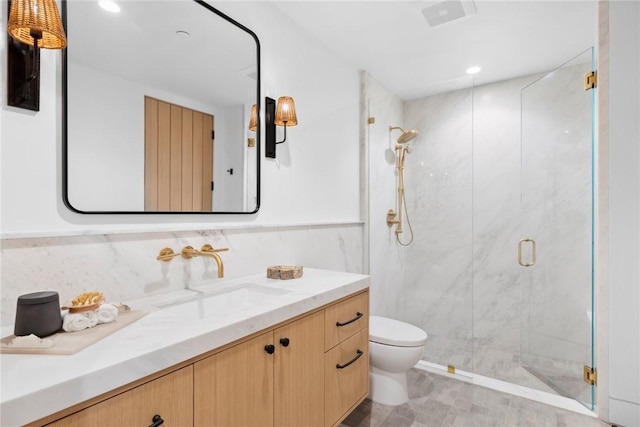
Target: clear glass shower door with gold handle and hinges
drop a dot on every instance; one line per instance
(556, 249)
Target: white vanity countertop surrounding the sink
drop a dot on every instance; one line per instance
(34, 386)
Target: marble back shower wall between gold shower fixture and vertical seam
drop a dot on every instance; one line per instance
(438, 288)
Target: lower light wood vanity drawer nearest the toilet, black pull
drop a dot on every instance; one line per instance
(346, 376)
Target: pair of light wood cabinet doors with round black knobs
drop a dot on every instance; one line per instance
(276, 378)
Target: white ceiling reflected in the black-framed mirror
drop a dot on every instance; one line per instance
(158, 44)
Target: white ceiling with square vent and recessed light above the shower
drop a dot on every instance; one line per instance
(394, 42)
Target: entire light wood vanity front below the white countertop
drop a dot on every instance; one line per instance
(310, 371)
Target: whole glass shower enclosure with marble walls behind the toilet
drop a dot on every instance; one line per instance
(499, 189)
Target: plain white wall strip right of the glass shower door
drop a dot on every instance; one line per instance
(624, 212)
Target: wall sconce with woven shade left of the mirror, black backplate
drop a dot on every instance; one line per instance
(32, 24)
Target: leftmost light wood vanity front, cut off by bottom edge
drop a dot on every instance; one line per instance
(170, 397)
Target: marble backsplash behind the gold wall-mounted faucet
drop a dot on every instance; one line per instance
(124, 266)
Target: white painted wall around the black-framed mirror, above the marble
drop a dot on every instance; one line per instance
(315, 177)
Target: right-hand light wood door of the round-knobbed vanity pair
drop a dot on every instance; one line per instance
(299, 372)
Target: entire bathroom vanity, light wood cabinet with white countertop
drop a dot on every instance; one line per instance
(248, 351)
